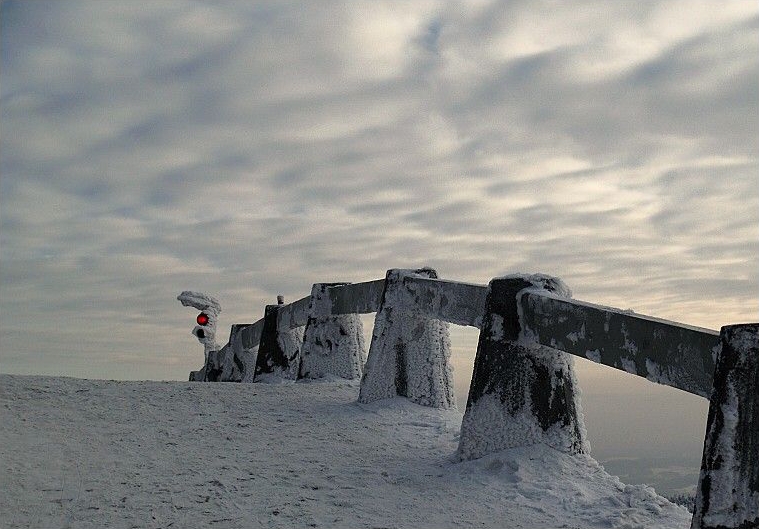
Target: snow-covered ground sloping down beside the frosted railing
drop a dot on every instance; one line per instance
(90, 453)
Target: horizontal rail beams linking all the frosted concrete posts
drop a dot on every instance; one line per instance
(661, 351)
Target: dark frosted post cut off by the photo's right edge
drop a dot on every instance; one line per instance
(727, 496)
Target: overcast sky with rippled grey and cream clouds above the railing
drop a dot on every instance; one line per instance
(246, 149)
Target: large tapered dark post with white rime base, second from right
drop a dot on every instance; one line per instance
(520, 394)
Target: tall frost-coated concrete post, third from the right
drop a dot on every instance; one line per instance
(409, 353)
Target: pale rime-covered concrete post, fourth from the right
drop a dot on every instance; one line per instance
(332, 345)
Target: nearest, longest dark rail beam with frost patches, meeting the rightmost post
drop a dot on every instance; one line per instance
(669, 353)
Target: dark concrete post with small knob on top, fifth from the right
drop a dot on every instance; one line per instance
(279, 351)
